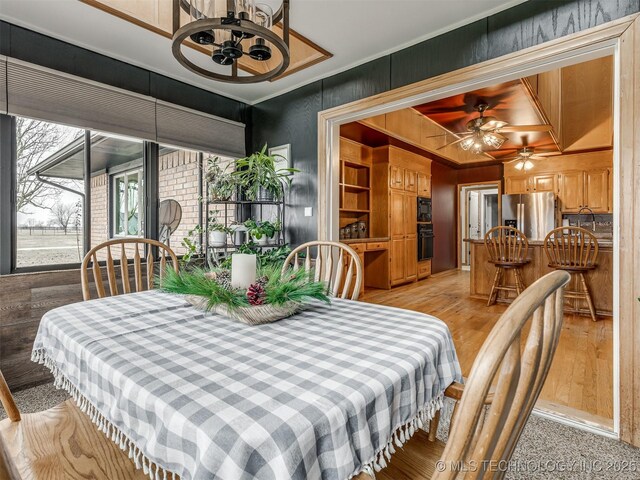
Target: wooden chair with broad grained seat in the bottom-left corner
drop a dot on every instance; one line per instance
(58, 444)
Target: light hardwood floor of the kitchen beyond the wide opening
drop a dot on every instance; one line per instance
(580, 382)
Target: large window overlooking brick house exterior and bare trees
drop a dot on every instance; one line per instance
(71, 196)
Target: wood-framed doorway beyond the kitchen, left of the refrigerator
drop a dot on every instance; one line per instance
(479, 212)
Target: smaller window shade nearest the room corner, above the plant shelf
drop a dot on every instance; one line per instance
(188, 128)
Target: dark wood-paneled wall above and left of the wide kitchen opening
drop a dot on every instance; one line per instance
(292, 117)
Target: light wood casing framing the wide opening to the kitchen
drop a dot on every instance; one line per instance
(618, 39)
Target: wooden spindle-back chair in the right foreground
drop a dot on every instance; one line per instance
(517, 361)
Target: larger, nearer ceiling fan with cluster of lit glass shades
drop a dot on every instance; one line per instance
(487, 131)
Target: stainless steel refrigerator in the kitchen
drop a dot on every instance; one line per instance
(533, 214)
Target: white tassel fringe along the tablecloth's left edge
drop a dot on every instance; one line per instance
(150, 468)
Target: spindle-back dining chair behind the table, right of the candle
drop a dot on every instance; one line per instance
(335, 263)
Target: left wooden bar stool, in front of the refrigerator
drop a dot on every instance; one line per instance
(507, 247)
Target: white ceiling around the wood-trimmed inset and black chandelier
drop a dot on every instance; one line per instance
(355, 31)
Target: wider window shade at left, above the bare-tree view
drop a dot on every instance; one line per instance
(46, 94)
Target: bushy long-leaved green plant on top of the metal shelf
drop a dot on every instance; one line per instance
(258, 177)
